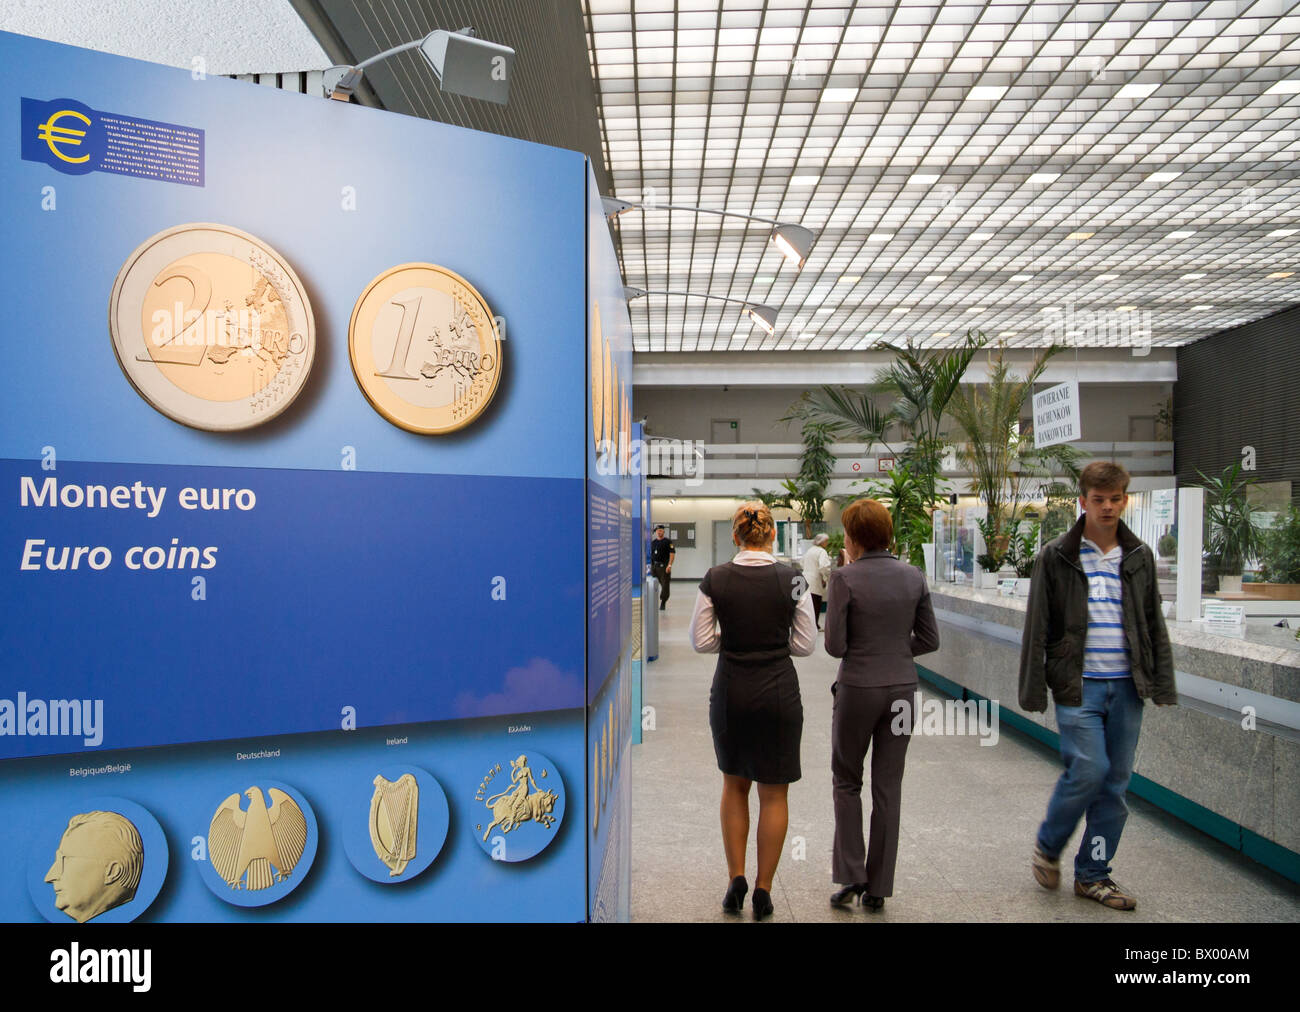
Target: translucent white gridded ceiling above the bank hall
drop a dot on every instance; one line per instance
(1089, 174)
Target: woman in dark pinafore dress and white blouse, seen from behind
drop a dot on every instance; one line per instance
(755, 711)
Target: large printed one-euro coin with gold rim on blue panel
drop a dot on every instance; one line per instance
(426, 349)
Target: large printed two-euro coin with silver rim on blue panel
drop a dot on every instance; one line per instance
(213, 327)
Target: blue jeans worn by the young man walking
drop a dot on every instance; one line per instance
(1098, 743)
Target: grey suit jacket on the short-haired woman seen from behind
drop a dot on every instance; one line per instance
(878, 617)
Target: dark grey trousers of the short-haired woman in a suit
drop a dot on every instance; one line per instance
(866, 719)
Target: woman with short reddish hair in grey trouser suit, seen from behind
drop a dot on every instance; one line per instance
(878, 620)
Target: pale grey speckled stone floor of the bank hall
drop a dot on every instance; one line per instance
(969, 820)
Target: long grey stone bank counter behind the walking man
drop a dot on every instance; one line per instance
(1227, 759)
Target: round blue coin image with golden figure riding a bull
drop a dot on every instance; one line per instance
(519, 806)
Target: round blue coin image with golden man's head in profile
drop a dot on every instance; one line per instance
(103, 862)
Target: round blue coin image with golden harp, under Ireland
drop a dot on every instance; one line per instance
(396, 823)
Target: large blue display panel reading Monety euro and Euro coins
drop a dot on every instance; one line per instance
(292, 609)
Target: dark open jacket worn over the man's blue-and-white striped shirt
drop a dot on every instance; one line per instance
(1056, 624)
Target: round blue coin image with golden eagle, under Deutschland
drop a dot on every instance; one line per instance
(261, 845)
